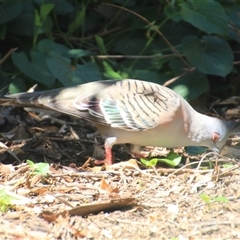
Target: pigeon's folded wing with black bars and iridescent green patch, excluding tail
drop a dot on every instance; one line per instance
(131, 105)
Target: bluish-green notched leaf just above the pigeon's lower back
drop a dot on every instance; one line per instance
(70, 75)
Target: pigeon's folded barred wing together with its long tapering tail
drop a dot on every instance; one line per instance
(131, 105)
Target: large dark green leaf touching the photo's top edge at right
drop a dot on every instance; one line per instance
(208, 16)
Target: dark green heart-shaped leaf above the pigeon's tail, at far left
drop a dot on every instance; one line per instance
(37, 69)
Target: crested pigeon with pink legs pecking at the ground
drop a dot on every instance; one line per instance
(132, 111)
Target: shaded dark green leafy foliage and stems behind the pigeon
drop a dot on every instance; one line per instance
(69, 42)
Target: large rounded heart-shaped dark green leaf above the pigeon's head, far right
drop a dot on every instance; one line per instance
(210, 55)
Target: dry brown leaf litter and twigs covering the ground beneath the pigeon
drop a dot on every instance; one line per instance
(50, 188)
